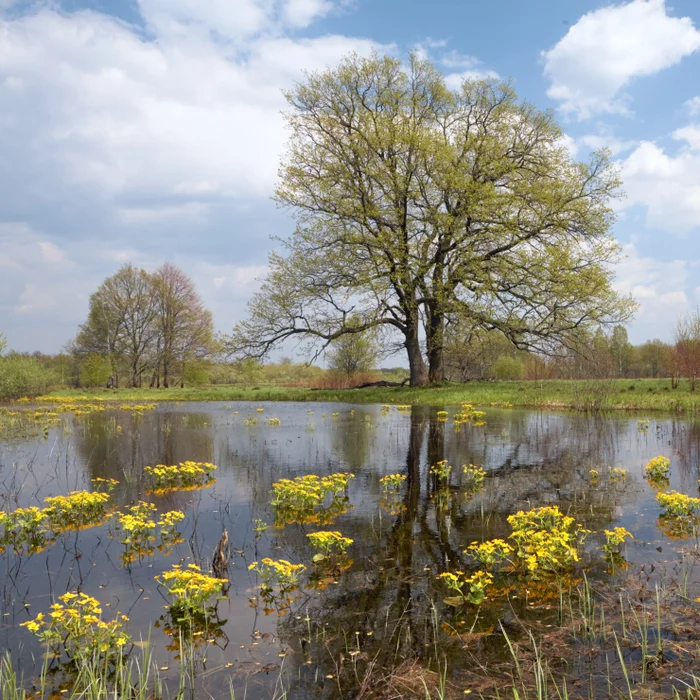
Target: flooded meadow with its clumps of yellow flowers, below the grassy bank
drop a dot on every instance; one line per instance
(335, 551)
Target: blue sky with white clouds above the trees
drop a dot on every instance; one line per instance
(150, 130)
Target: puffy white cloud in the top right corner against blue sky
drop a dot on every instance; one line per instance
(600, 54)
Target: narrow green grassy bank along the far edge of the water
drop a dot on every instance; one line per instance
(620, 394)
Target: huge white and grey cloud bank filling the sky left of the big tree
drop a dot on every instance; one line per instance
(141, 142)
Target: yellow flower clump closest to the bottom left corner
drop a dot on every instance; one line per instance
(75, 625)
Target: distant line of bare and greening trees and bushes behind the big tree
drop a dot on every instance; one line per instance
(151, 329)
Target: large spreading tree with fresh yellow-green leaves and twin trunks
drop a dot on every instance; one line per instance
(417, 206)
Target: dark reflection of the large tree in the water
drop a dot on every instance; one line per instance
(387, 610)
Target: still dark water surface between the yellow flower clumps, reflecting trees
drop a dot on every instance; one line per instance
(385, 611)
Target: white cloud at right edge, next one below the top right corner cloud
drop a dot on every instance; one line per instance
(668, 186)
